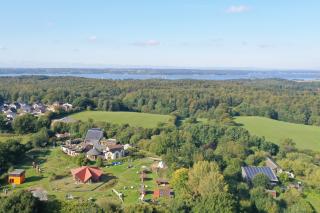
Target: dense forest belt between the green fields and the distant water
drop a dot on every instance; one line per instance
(277, 99)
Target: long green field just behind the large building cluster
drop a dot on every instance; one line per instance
(145, 120)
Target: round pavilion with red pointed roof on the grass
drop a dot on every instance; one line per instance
(86, 174)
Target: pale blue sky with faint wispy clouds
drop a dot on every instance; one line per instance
(282, 34)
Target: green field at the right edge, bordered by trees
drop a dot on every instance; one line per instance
(305, 137)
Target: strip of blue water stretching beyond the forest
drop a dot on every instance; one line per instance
(200, 75)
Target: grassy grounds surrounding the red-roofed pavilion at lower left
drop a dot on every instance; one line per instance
(54, 161)
